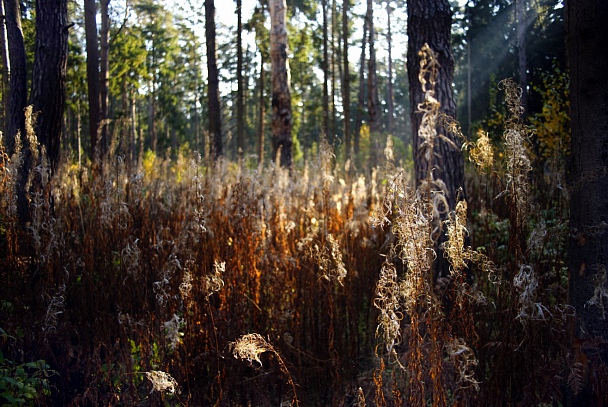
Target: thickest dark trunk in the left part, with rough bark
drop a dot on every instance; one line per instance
(49, 74)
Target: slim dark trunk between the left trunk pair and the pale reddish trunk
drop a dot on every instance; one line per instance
(213, 101)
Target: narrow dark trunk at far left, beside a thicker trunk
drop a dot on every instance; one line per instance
(18, 83)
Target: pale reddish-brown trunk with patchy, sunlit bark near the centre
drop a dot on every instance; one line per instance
(281, 97)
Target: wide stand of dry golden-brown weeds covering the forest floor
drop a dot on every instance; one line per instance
(163, 270)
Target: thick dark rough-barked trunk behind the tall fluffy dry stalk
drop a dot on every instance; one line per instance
(430, 22)
